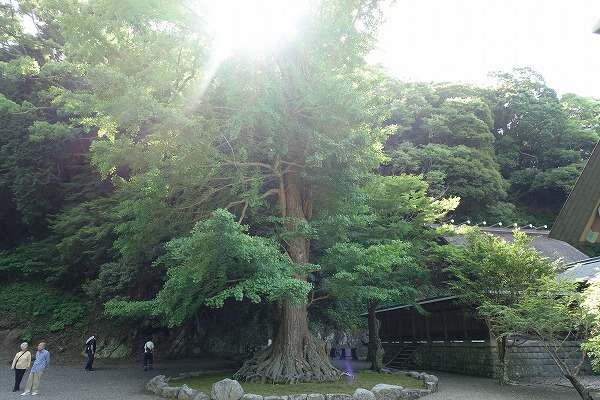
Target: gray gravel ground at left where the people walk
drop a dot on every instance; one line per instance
(109, 381)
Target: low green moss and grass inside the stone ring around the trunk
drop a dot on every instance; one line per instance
(364, 379)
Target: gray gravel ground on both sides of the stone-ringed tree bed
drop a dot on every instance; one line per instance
(125, 381)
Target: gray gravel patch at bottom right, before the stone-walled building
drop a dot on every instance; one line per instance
(459, 387)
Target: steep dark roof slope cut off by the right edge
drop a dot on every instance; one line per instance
(580, 205)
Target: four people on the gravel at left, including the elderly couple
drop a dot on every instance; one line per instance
(22, 362)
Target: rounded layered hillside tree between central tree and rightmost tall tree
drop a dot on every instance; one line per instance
(444, 132)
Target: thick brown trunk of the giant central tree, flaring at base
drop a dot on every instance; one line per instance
(296, 355)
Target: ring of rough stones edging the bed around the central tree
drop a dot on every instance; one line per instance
(228, 389)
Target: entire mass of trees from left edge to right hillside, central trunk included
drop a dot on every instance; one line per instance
(137, 174)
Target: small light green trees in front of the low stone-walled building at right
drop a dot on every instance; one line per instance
(516, 291)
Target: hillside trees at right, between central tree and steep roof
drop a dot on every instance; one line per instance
(517, 144)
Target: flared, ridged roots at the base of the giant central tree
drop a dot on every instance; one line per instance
(275, 365)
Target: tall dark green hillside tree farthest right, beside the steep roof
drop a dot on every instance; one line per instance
(542, 141)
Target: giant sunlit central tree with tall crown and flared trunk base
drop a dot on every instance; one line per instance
(265, 135)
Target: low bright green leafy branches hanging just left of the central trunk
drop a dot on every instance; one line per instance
(218, 261)
